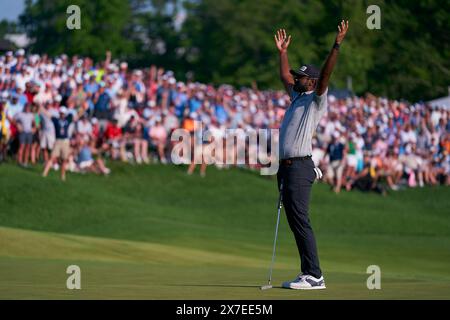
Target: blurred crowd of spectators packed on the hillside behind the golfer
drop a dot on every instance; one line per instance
(70, 113)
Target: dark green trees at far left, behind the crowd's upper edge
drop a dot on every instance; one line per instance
(103, 27)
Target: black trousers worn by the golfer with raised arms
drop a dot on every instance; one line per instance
(298, 178)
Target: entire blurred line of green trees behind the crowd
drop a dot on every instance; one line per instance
(231, 41)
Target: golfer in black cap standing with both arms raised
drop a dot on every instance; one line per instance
(307, 88)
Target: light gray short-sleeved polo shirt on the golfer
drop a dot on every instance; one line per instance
(300, 122)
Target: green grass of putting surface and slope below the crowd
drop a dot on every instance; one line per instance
(155, 233)
